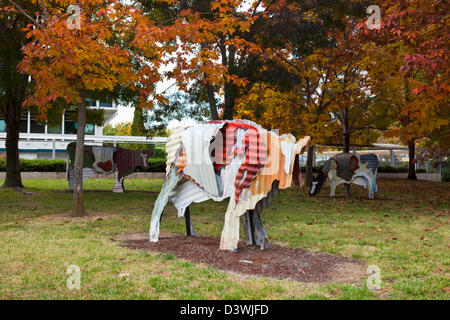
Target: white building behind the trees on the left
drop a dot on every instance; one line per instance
(37, 141)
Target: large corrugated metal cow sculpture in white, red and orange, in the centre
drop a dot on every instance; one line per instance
(235, 159)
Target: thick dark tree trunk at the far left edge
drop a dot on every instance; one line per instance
(12, 119)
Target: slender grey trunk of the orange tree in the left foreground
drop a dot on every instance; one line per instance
(78, 201)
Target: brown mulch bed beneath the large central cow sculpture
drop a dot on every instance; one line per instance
(277, 262)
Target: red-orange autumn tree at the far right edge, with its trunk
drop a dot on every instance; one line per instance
(413, 74)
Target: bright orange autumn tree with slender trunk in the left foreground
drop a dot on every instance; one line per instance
(68, 61)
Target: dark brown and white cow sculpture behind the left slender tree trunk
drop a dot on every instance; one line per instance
(107, 160)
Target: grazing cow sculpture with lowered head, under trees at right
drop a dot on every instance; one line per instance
(347, 168)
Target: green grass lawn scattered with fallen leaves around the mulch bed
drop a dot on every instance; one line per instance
(405, 232)
